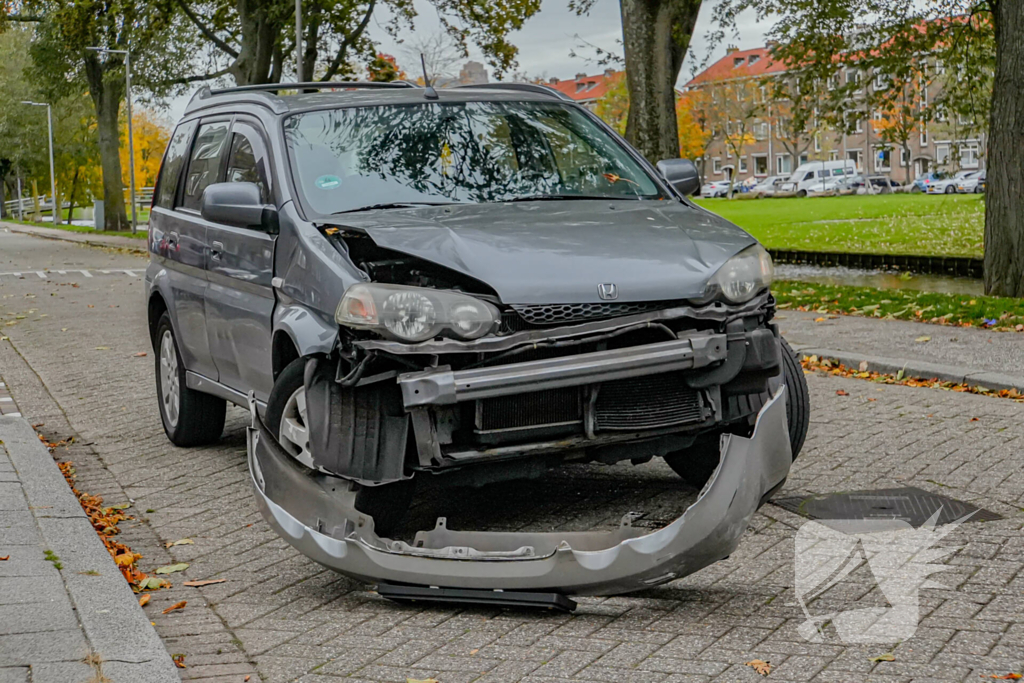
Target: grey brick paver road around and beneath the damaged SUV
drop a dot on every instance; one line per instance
(71, 363)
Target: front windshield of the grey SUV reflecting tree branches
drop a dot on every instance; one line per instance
(356, 158)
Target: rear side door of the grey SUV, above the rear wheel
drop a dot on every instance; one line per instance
(179, 242)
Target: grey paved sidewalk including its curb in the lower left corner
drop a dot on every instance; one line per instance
(67, 616)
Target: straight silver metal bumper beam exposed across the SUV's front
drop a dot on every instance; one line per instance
(443, 387)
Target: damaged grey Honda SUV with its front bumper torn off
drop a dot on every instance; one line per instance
(473, 285)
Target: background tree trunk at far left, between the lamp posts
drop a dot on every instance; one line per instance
(107, 96)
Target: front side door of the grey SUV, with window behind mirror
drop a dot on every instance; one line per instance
(240, 298)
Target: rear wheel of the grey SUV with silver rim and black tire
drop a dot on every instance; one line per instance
(190, 417)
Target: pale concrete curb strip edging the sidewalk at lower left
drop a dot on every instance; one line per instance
(116, 627)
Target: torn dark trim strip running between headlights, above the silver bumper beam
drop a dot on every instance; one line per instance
(720, 313)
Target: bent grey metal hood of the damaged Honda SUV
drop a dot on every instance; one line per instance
(561, 252)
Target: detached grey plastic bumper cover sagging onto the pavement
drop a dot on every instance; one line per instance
(315, 514)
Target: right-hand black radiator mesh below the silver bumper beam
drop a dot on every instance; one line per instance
(648, 403)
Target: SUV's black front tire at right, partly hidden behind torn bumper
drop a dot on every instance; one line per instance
(697, 464)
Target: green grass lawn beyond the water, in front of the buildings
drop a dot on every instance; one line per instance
(918, 225)
